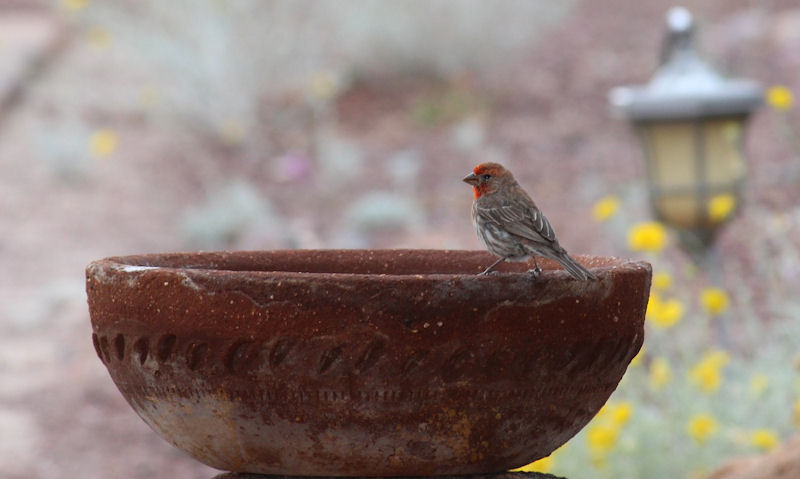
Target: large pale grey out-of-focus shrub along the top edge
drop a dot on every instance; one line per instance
(217, 60)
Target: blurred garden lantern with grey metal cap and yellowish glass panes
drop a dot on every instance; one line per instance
(691, 122)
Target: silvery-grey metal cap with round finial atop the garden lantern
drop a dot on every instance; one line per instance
(685, 86)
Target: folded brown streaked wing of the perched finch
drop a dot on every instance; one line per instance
(521, 219)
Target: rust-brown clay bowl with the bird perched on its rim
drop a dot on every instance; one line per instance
(364, 362)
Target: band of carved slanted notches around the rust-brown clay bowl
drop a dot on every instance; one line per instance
(247, 356)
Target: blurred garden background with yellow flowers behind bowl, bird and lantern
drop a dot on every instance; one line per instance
(136, 126)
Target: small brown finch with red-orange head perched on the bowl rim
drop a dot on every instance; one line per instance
(510, 225)
